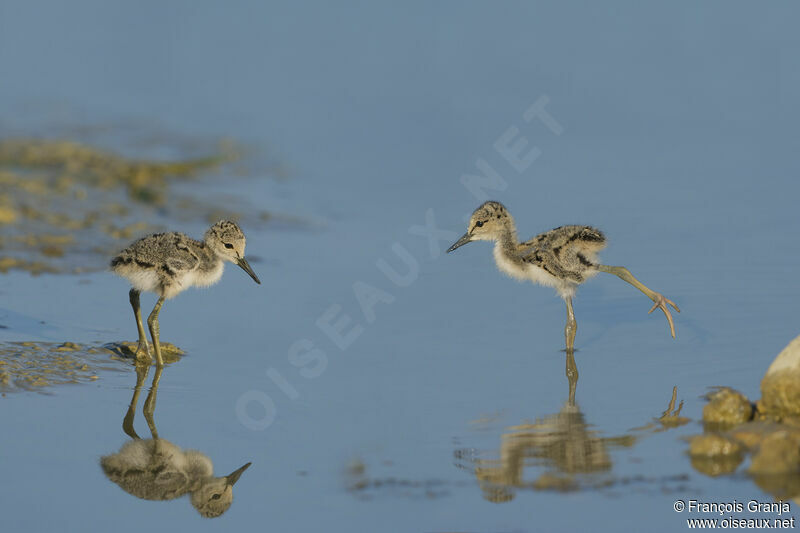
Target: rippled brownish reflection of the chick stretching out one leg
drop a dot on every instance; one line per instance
(563, 448)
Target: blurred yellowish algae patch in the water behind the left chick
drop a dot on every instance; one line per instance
(66, 206)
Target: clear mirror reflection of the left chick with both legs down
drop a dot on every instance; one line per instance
(156, 469)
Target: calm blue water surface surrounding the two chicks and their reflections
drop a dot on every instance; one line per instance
(677, 137)
